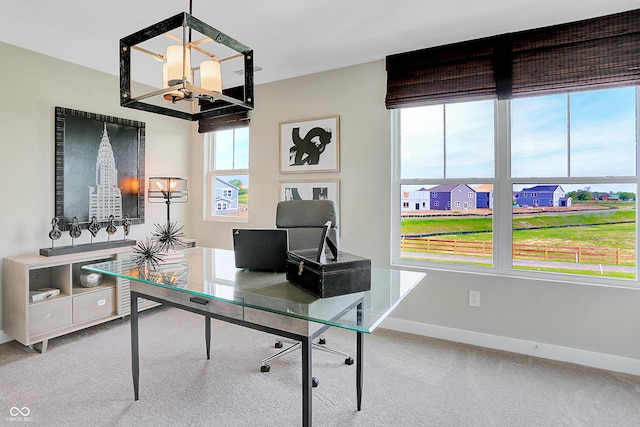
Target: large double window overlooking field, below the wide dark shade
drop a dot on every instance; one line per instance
(569, 184)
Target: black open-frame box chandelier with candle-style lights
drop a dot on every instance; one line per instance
(190, 57)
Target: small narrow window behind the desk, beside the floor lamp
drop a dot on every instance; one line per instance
(228, 175)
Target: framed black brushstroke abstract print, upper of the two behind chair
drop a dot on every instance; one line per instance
(311, 145)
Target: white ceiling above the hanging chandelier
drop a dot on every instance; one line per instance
(290, 38)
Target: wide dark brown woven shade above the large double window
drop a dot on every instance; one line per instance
(598, 52)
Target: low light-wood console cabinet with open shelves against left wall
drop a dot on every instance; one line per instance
(75, 308)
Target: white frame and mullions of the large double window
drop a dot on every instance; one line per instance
(503, 184)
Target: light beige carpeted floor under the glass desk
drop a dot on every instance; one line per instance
(84, 379)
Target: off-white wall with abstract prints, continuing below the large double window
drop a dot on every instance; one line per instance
(592, 325)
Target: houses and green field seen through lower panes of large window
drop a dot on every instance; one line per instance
(553, 229)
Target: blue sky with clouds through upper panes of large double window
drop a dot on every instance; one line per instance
(586, 134)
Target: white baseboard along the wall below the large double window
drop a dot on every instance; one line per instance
(546, 351)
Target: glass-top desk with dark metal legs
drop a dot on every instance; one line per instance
(206, 282)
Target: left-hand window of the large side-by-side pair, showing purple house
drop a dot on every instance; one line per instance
(447, 157)
